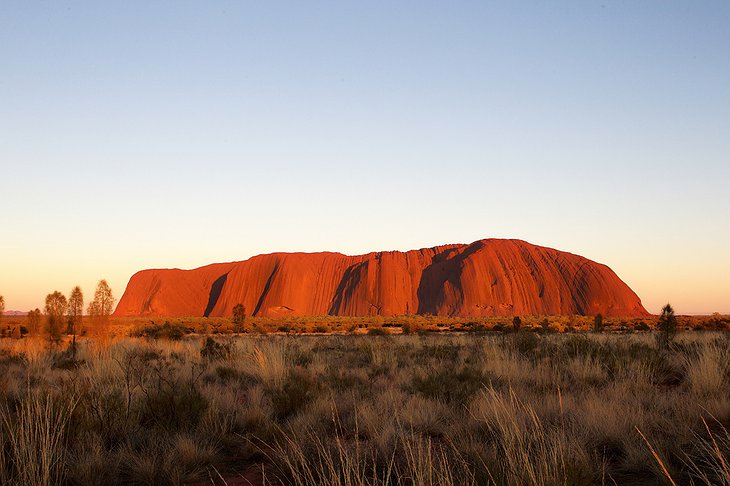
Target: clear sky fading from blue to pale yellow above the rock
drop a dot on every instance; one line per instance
(176, 134)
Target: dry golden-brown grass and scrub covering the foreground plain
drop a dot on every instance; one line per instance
(520, 408)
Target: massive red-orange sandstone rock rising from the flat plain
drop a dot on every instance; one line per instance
(486, 278)
